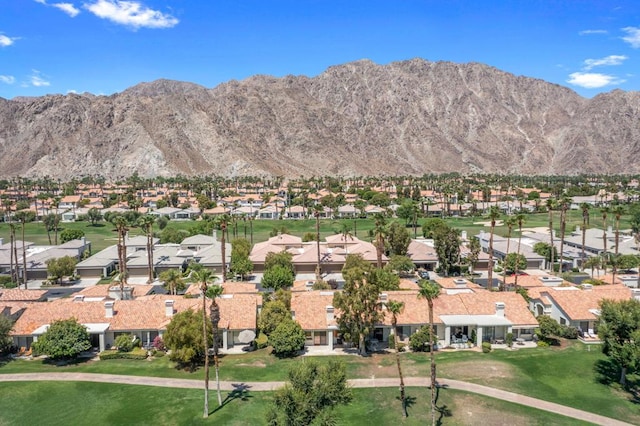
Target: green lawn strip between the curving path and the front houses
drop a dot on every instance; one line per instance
(571, 375)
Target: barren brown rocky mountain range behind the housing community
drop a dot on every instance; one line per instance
(411, 117)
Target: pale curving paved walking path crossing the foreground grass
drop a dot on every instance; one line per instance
(356, 383)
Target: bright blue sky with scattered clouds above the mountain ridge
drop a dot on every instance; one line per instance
(105, 46)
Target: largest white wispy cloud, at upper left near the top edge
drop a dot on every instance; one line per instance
(131, 13)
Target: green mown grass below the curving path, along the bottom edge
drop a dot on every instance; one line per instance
(64, 403)
